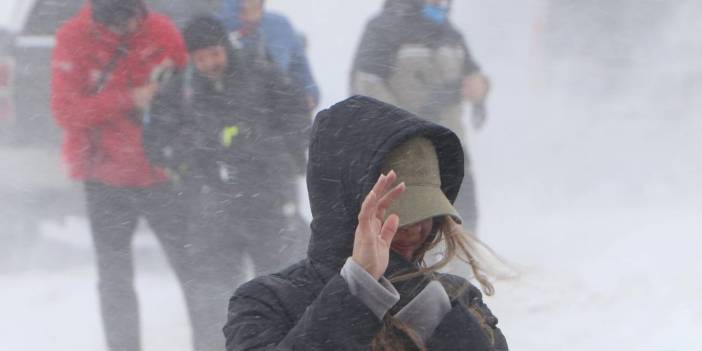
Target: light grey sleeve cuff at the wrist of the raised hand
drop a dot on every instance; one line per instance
(378, 296)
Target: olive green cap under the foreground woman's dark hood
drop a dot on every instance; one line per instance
(417, 164)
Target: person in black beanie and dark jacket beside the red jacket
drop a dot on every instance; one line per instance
(229, 130)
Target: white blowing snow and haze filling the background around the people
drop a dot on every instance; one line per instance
(587, 174)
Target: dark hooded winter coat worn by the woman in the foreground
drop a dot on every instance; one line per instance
(309, 306)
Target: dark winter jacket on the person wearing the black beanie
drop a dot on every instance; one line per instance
(254, 121)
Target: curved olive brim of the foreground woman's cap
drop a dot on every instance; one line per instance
(418, 203)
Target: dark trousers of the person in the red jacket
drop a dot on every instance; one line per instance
(114, 213)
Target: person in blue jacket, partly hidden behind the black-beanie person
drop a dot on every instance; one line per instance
(272, 35)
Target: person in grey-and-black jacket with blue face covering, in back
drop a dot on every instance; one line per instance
(412, 56)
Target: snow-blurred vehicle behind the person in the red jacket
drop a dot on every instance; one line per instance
(33, 184)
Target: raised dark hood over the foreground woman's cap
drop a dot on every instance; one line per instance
(348, 145)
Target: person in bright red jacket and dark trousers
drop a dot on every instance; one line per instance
(103, 79)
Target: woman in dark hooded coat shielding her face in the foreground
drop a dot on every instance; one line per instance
(365, 284)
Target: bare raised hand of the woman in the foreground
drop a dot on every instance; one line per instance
(374, 233)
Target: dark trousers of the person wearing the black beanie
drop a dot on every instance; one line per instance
(249, 219)
